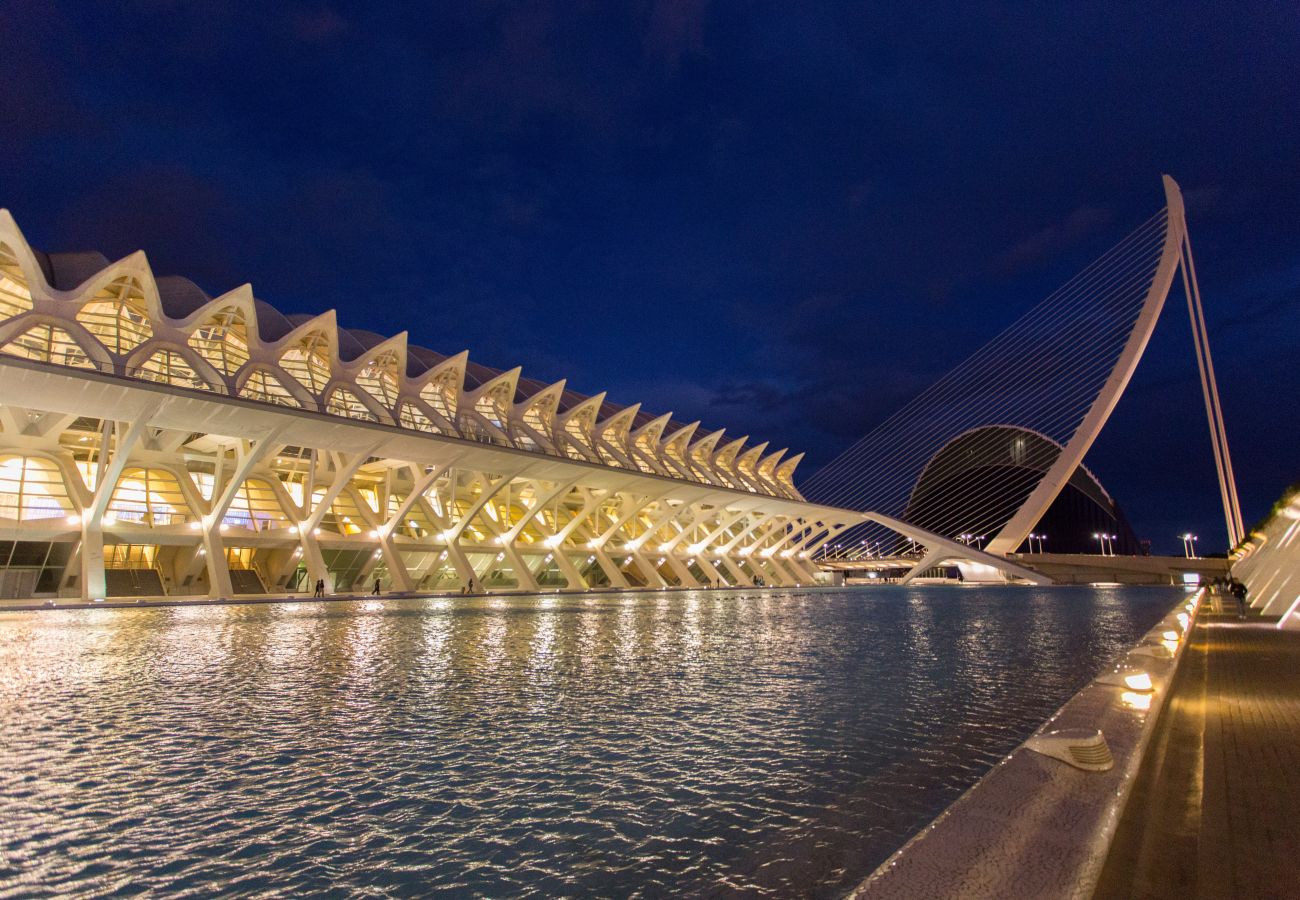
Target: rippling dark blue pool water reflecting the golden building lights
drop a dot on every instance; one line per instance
(686, 743)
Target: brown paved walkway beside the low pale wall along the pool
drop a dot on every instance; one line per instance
(1215, 811)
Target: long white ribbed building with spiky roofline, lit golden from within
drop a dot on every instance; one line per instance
(157, 440)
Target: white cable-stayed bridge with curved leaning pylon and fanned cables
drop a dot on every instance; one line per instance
(985, 453)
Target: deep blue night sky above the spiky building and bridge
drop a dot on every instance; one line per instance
(778, 219)
